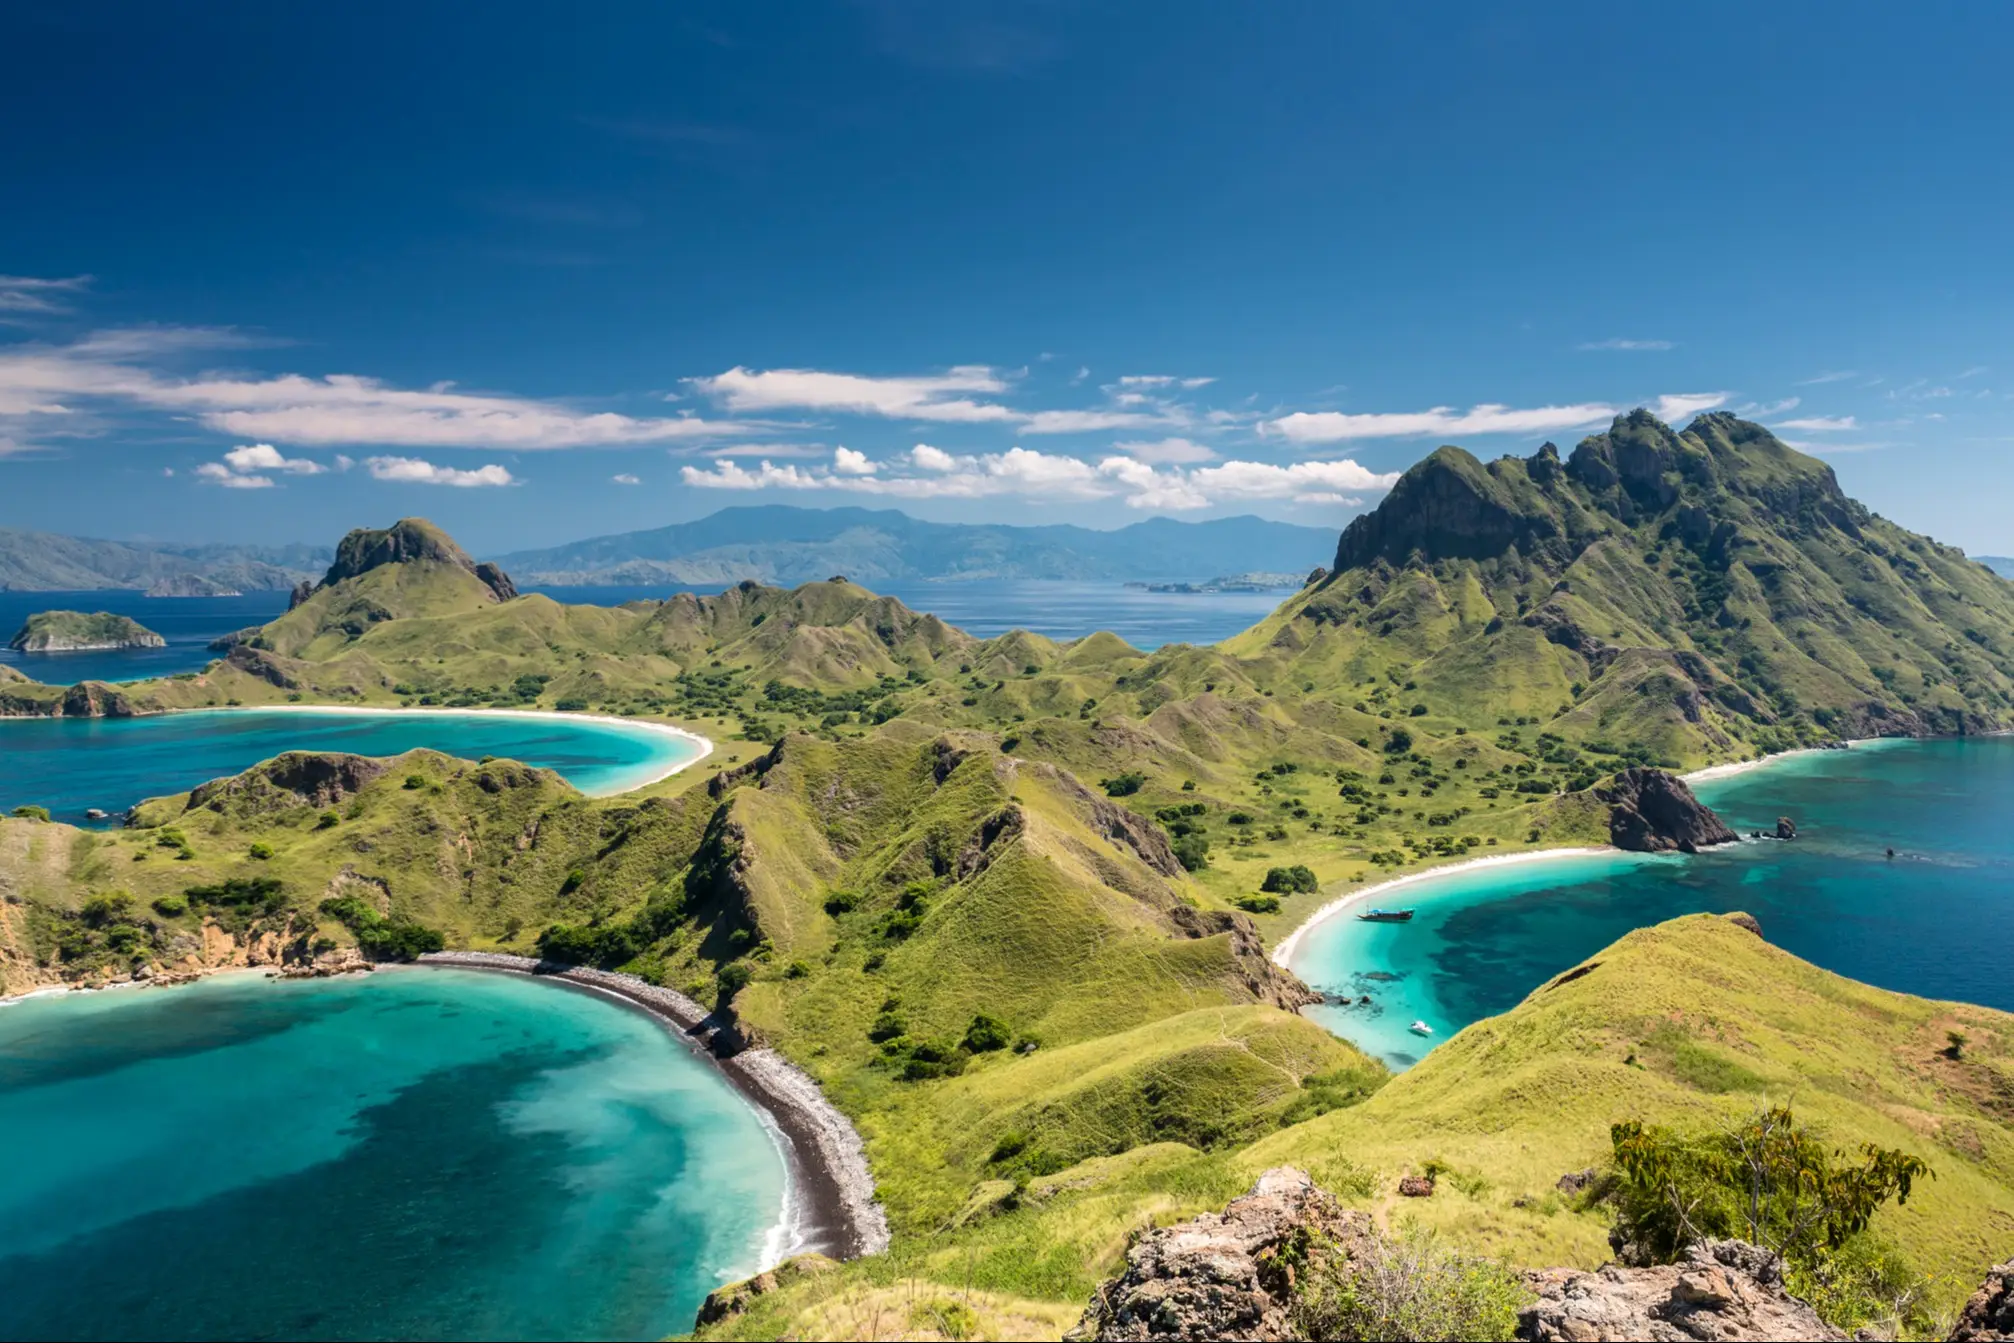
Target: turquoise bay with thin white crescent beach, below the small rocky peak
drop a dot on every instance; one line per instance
(110, 764)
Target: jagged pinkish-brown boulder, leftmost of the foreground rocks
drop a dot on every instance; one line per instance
(1226, 1276)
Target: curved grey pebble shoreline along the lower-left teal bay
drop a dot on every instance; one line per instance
(829, 1199)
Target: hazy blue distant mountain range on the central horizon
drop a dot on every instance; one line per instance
(782, 545)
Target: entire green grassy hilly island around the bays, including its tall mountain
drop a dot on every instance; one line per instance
(1010, 907)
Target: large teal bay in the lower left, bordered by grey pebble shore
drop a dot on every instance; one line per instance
(406, 1155)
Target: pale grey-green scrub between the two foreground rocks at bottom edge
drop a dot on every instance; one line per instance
(1409, 1288)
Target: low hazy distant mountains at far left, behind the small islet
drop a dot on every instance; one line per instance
(49, 563)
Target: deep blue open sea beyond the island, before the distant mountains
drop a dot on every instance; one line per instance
(984, 609)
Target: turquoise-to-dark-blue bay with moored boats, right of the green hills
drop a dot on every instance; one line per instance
(1938, 919)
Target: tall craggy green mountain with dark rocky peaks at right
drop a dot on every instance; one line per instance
(1713, 581)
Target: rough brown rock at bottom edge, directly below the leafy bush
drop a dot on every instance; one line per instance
(1723, 1290)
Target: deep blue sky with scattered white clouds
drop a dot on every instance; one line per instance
(275, 273)
